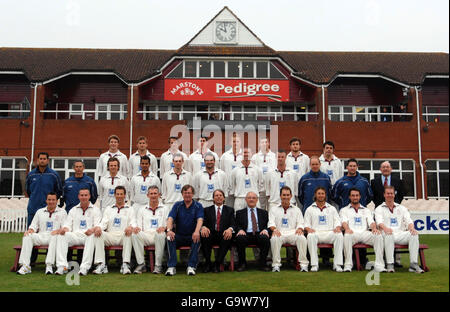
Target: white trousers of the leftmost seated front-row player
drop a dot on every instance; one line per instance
(38, 239)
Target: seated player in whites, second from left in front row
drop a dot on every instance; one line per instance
(78, 227)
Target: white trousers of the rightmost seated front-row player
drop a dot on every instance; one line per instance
(402, 238)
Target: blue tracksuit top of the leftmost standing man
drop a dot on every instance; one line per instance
(38, 185)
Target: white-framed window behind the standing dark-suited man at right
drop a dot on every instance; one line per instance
(403, 169)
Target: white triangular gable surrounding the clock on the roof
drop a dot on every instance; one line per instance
(244, 36)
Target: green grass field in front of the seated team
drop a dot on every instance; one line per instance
(288, 280)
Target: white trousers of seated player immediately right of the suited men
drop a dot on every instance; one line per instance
(298, 240)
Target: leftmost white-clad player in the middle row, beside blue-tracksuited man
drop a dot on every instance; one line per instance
(109, 182)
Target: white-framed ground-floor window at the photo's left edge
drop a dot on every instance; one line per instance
(13, 175)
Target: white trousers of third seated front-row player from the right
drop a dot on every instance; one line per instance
(328, 237)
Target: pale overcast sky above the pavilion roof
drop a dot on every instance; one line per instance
(284, 25)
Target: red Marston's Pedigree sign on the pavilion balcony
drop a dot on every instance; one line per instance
(226, 90)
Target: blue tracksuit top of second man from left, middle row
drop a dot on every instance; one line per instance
(73, 185)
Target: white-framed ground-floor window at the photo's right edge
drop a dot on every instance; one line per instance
(437, 178)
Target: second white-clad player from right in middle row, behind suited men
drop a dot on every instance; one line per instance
(245, 178)
